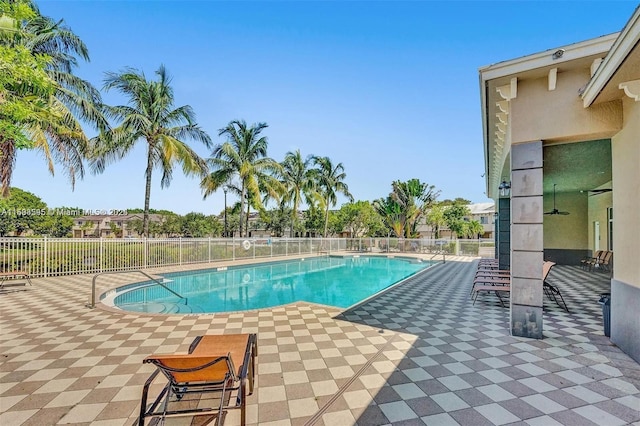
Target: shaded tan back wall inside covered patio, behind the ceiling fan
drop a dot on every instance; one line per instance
(566, 232)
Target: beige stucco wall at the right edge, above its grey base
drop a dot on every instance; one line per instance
(625, 151)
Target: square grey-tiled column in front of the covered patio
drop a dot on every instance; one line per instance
(526, 240)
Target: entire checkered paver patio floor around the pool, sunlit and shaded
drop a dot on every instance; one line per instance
(420, 353)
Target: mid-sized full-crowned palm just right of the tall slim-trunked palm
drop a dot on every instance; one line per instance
(242, 164)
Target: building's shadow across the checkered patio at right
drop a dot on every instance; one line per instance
(449, 362)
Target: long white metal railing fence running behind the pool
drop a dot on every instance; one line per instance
(42, 257)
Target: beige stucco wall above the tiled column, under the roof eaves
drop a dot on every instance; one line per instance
(561, 111)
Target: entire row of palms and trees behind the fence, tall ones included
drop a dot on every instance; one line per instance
(43, 105)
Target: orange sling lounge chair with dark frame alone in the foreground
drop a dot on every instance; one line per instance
(209, 367)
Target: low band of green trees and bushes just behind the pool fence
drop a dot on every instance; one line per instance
(24, 213)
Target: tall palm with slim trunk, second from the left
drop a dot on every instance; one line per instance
(150, 116)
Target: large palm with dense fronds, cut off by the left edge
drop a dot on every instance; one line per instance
(51, 119)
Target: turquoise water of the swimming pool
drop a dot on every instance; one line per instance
(334, 281)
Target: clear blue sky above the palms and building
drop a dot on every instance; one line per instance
(389, 89)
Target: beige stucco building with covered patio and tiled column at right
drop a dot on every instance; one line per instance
(562, 135)
